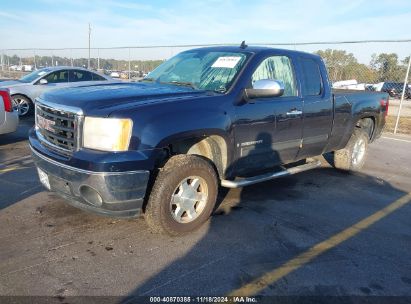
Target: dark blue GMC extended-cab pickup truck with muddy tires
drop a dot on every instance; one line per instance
(209, 117)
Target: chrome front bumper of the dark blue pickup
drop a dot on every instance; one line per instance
(116, 194)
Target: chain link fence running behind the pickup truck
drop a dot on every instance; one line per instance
(378, 65)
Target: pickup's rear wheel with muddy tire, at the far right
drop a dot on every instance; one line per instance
(353, 156)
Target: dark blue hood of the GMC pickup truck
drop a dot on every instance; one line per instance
(101, 100)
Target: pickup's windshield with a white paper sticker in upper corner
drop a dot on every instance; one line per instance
(201, 69)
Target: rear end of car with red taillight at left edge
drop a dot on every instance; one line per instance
(9, 119)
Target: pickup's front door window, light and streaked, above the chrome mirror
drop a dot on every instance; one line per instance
(277, 68)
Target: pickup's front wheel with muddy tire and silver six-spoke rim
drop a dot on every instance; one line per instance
(183, 195)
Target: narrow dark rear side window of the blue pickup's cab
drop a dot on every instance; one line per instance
(312, 77)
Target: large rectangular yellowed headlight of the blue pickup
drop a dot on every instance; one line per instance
(107, 134)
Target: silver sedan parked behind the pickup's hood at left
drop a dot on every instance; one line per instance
(26, 89)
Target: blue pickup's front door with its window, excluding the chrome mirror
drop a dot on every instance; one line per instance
(268, 131)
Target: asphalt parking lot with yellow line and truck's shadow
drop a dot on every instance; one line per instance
(320, 233)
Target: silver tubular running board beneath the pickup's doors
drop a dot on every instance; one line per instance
(265, 177)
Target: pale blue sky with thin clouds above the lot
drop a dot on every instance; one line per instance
(64, 24)
